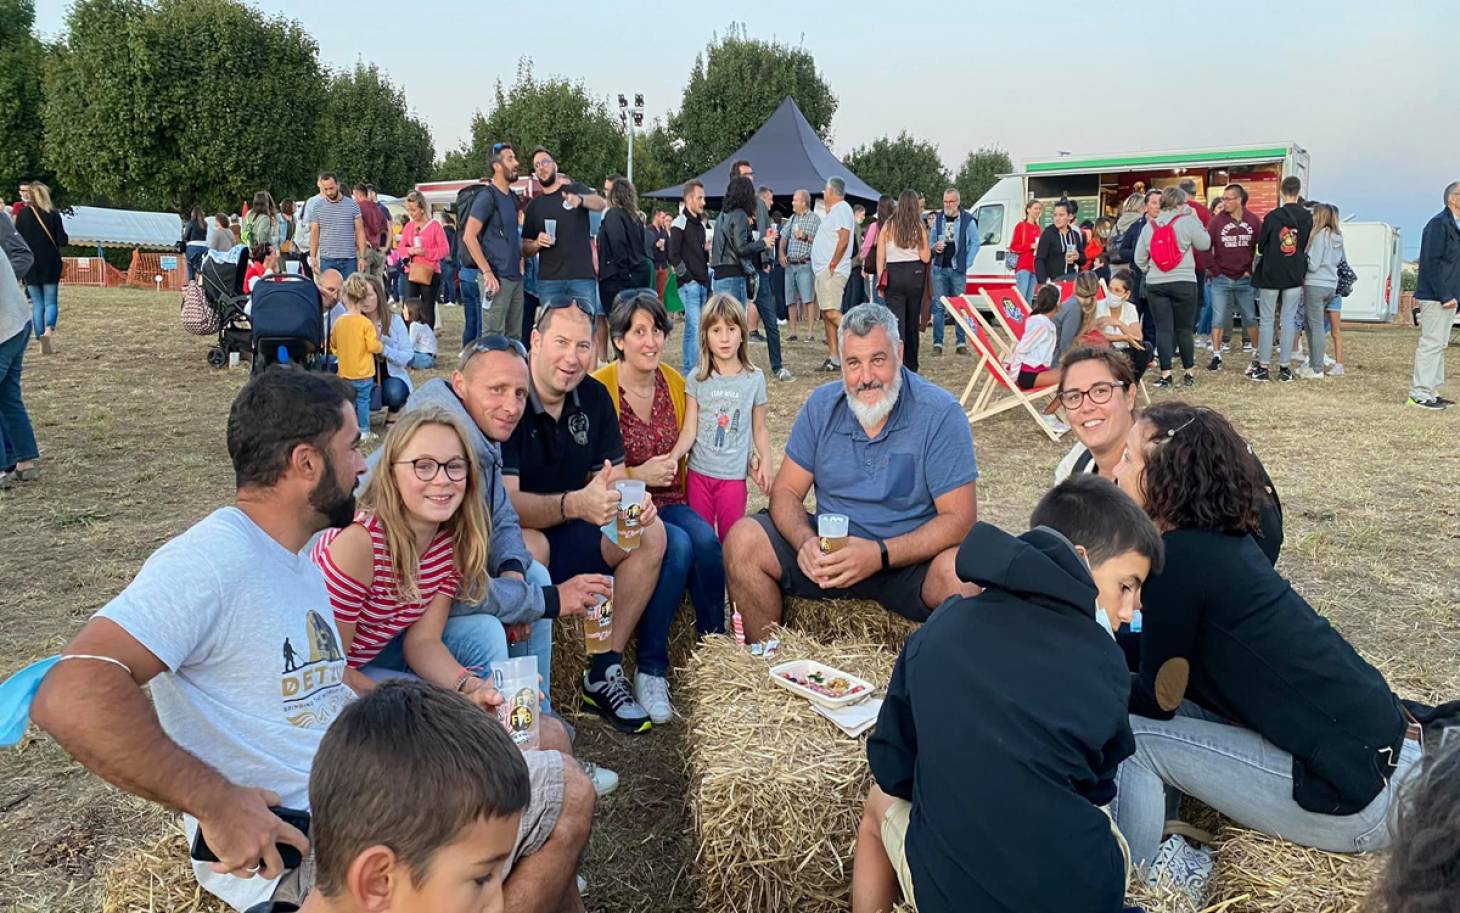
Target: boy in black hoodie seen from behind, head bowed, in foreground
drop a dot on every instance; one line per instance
(1007, 719)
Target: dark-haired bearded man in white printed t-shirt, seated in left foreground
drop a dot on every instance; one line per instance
(211, 623)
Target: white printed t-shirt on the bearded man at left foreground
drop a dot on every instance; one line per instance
(255, 668)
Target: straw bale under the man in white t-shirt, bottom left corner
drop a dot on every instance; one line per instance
(157, 879)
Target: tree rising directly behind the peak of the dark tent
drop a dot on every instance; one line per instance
(737, 85)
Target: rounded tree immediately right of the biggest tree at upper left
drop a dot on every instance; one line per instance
(369, 137)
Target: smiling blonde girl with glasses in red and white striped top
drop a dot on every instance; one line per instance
(418, 543)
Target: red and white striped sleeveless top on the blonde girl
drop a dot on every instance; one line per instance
(376, 610)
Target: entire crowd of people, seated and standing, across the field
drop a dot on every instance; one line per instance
(504, 500)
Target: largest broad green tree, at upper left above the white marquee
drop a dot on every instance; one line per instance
(183, 102)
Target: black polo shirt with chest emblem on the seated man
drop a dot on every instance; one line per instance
(553, 455)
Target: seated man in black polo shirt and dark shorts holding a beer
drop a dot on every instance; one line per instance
(560, 468)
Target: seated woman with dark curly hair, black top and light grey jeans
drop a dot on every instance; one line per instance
(1248, 699)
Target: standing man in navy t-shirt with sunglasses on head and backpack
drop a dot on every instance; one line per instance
(496, 245)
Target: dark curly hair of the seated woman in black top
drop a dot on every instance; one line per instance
(1199, 473)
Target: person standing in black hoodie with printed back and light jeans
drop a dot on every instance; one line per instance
(1280, 272)
